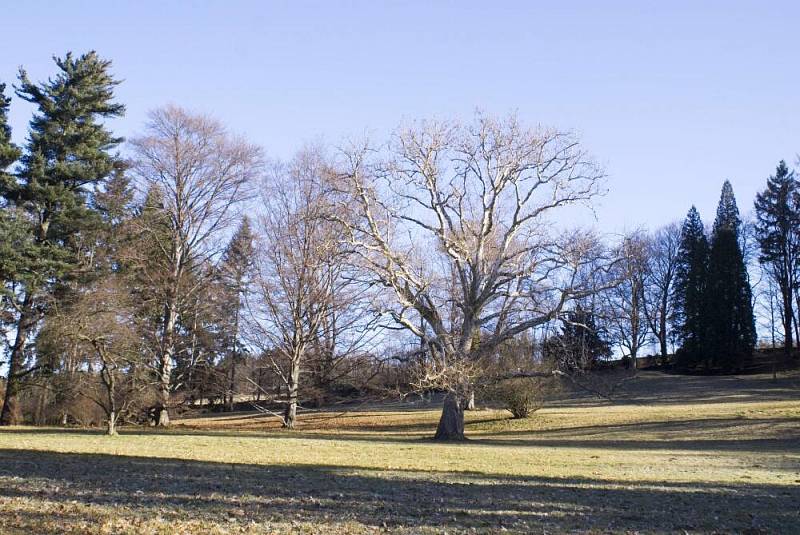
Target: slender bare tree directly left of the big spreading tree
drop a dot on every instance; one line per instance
(296, 266)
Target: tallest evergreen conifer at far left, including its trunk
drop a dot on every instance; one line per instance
(68, 153)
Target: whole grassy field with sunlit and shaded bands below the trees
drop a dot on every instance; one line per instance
(670, 454)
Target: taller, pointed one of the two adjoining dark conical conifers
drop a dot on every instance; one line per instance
(732, 333)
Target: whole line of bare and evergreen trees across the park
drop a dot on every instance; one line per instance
(191, 271)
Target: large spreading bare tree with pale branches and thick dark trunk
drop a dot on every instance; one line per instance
(454, 220)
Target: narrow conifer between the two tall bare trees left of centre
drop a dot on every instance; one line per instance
(237, 268)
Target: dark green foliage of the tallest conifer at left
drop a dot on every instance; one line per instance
(67, 151)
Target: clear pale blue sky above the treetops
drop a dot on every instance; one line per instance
(672, 97)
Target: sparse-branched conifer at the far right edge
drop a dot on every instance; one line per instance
(778, 234)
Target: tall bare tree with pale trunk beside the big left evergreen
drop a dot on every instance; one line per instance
(200, 173)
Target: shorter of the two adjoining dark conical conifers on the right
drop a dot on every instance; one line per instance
(689, 298)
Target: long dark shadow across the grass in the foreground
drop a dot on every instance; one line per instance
(227, 494)
